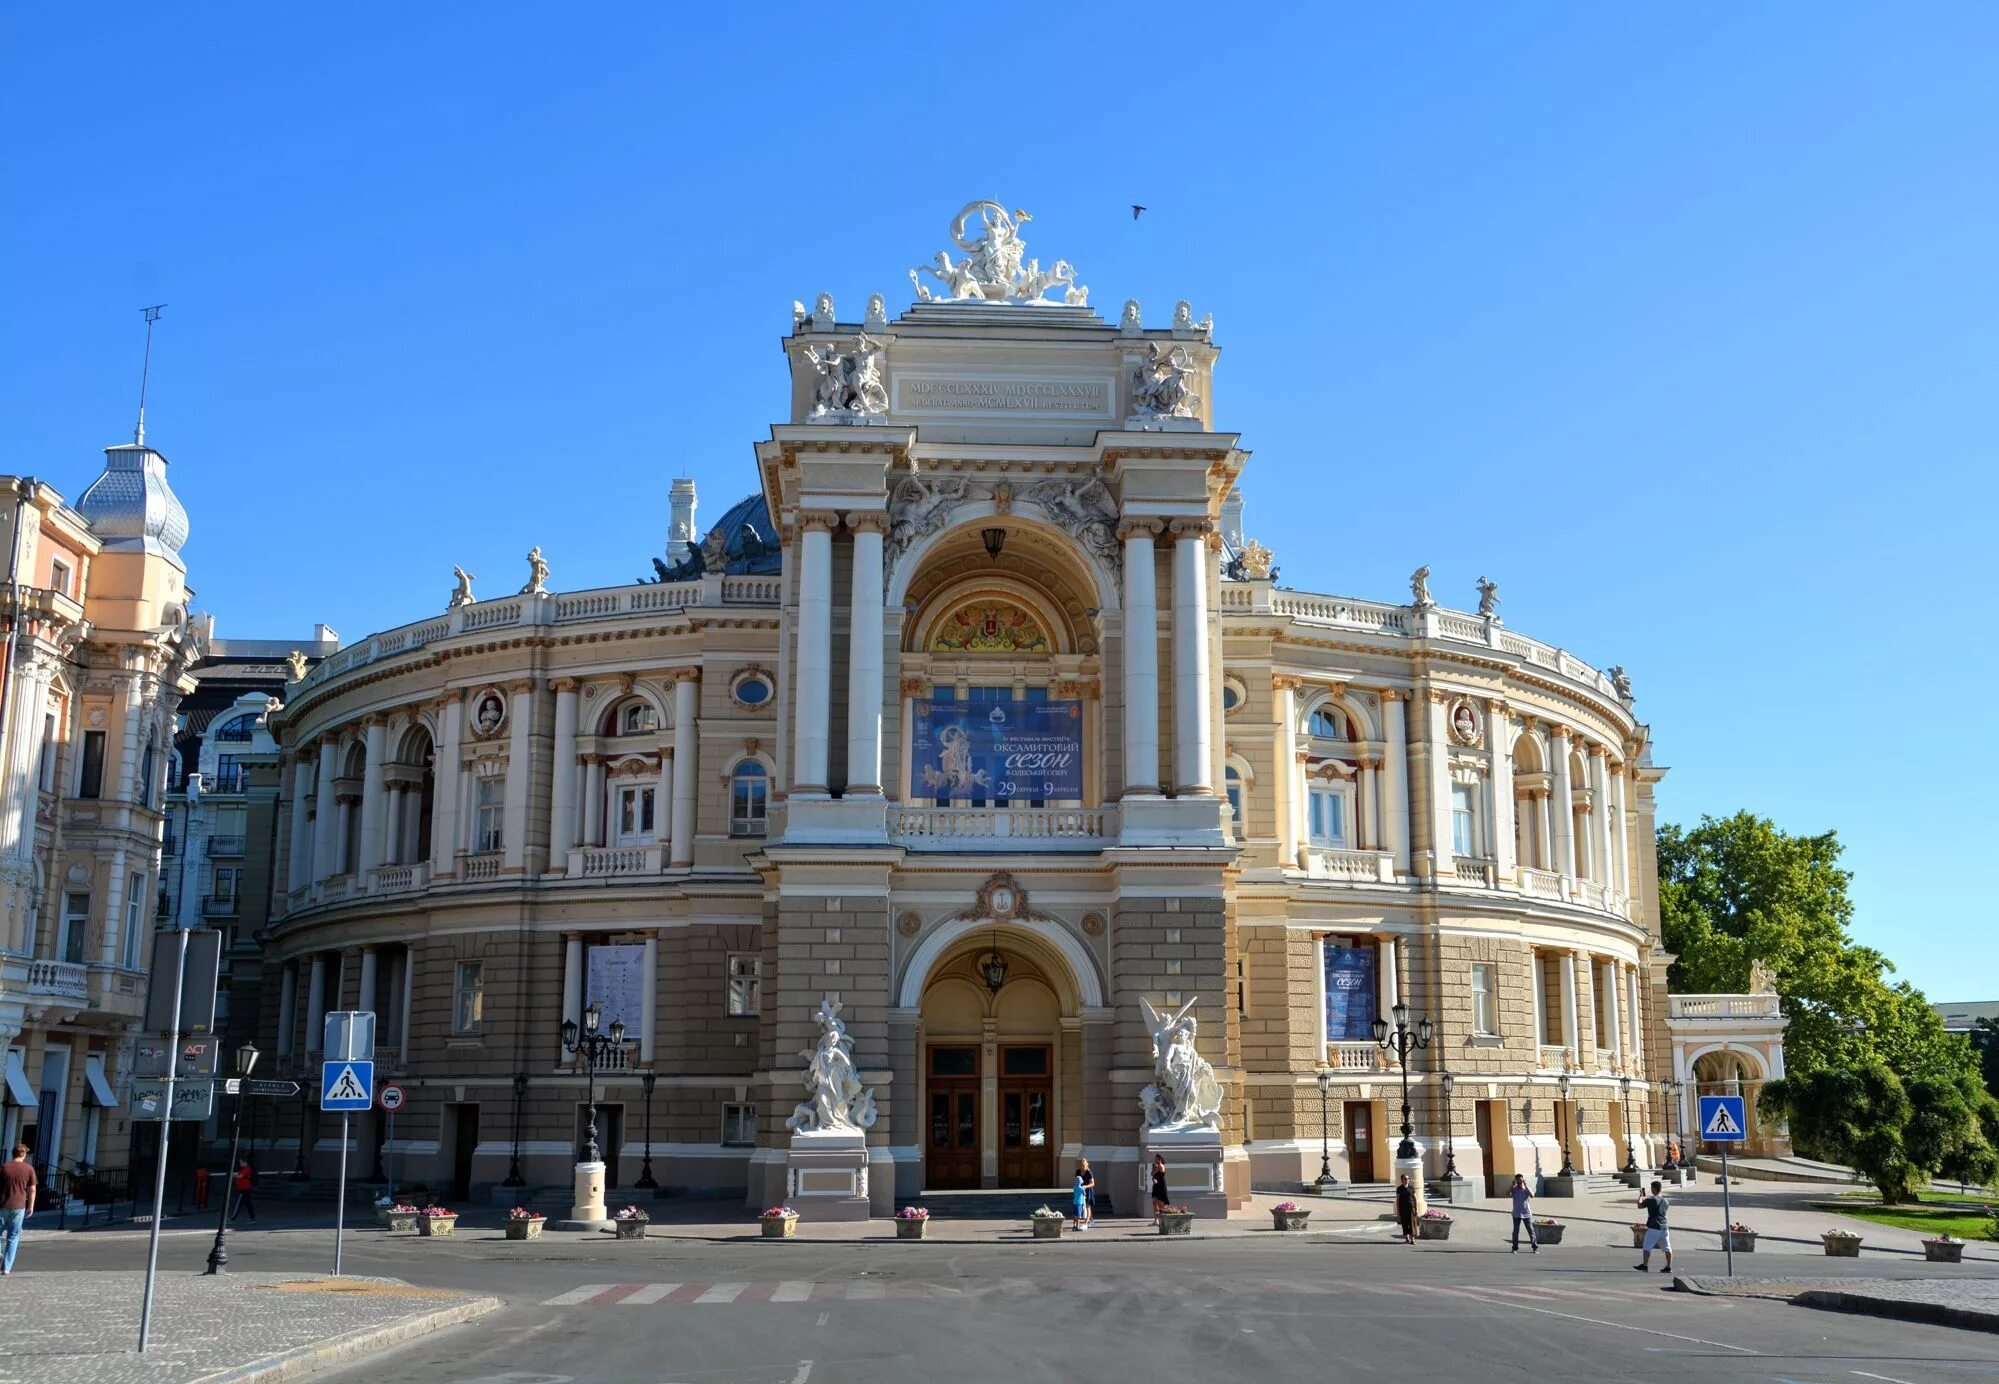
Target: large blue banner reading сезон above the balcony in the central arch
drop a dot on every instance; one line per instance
(999, 751)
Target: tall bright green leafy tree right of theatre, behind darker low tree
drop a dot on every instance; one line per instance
(1738, 891)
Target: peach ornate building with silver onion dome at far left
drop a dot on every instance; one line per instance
(99, 645)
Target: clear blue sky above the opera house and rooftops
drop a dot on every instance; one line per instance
(1680, 323)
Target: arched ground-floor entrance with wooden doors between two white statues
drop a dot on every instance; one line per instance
(999, 1071)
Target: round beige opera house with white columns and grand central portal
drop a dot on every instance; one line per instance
(719, 799)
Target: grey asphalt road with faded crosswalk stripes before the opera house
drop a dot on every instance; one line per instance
(1118, 1309)
